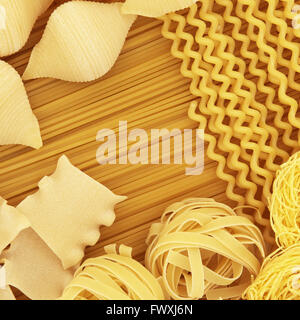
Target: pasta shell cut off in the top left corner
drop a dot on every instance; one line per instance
(17, 18)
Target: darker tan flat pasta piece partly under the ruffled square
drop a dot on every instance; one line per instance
(34, 269)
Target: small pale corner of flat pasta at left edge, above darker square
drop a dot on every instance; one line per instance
(12, 221)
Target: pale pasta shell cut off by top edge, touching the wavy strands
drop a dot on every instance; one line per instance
(155, 8)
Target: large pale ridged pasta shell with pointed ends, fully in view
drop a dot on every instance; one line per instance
(81, 42)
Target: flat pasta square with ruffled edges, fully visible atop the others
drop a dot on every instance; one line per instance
(67, 211)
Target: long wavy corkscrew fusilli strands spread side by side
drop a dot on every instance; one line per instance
(236, 53)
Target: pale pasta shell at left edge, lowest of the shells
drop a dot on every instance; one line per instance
(18, 124)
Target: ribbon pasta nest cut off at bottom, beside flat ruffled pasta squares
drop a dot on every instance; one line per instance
(113, 276)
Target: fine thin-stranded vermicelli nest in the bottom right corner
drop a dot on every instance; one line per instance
(279, 278)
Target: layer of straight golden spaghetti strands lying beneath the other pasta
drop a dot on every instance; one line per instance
(71, 114)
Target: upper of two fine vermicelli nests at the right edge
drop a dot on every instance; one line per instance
(285, 203)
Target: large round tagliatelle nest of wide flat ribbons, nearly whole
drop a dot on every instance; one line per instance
(202, 249)
